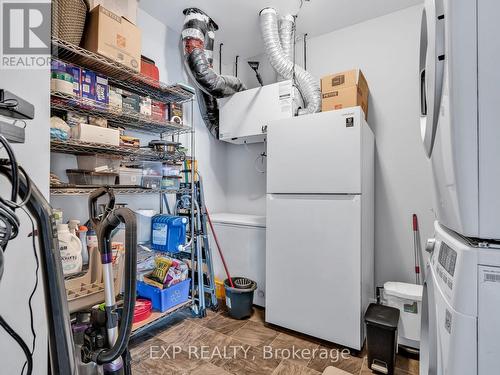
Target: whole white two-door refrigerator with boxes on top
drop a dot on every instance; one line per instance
(320, 225)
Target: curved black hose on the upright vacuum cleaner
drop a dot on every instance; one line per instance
(126, 216)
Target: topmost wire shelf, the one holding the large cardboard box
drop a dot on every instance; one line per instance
(119, 74)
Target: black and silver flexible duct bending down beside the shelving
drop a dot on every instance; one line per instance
(198, 38)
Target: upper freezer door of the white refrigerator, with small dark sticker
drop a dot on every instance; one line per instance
(316, 154)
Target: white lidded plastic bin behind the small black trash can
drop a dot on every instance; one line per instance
(407, 298)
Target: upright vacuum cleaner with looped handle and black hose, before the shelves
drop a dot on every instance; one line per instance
(105, 341)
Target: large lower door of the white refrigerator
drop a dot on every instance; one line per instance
(313, 265)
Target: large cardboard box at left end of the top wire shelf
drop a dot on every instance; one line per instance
(110, 35)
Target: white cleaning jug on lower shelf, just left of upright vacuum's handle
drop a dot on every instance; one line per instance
(70, 247)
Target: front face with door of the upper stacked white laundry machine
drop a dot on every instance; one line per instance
(449, 116)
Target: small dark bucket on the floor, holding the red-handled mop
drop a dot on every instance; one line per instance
(239, 300)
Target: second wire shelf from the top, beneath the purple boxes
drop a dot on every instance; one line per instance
(123, 118)
